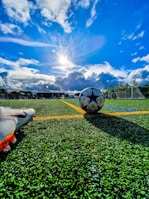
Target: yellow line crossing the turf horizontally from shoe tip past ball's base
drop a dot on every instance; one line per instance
(38, 118)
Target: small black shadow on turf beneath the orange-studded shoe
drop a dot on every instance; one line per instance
(19, 136)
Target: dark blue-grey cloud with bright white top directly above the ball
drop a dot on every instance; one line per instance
(100, 76)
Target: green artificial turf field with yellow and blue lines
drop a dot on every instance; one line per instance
(64, 153)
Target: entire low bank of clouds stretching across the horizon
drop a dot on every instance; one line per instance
(21, 77)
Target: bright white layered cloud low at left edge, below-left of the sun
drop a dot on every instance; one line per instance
(20, 76)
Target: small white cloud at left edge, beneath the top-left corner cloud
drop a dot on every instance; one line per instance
(10, 29)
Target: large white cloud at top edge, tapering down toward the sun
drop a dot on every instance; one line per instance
(56, 11)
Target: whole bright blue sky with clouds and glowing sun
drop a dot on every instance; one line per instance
(72, 44)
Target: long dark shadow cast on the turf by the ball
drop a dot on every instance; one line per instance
(120, 128)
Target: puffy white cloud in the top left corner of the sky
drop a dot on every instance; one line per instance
(18, 10)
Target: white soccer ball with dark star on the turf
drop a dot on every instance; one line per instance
(91, 99)
